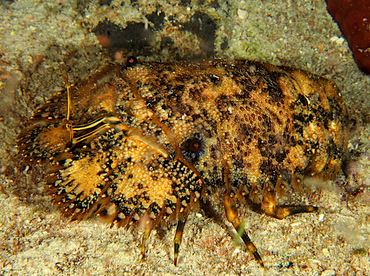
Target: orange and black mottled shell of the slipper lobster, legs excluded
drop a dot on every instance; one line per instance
(146, 141)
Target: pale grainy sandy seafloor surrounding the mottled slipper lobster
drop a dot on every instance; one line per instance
(46, 37)
